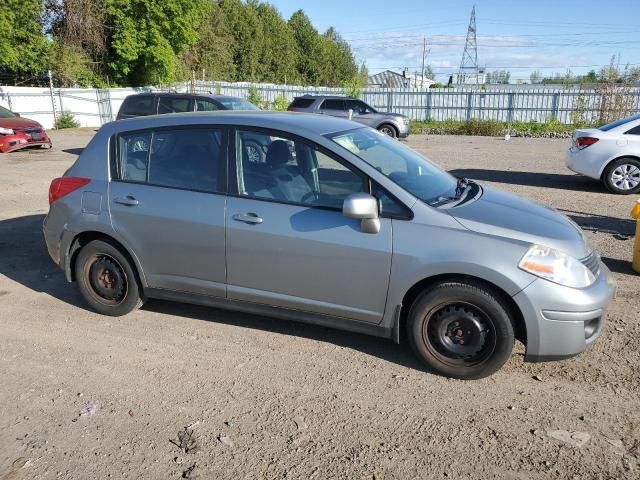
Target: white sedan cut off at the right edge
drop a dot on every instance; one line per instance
(610, 153)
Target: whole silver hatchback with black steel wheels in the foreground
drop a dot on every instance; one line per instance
(340, 226)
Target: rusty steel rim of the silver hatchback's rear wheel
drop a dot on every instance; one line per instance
(107, 280)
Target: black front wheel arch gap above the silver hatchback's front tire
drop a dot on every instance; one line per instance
(416, 289)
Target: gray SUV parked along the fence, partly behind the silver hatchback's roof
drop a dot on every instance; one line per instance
(393, 124)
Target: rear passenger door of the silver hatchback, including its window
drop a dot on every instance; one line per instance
(167, 202)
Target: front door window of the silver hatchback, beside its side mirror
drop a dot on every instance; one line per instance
(293, 172)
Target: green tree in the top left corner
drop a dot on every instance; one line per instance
(23, 46)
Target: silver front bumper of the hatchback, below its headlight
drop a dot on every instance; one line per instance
(562, 322)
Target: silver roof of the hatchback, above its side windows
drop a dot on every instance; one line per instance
(293, 122)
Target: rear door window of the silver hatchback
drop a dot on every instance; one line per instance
(191, 159)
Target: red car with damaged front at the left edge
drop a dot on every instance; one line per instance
(17, 132)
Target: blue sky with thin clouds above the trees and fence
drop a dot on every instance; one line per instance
(519, 36)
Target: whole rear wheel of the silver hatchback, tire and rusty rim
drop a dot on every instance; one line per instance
(106, 279)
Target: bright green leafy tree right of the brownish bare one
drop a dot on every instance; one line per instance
(146, 35)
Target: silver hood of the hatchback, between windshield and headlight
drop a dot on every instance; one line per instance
(507, 215)
